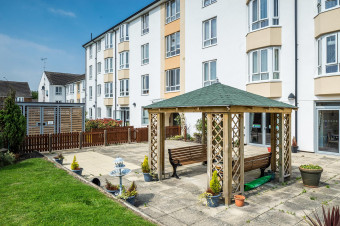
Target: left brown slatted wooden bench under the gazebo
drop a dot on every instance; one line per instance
(186, 156)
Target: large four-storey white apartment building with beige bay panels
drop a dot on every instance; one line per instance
(287, 50)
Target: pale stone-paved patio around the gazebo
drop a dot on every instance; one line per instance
(175, 201)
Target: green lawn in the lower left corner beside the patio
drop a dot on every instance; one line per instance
(34, 192)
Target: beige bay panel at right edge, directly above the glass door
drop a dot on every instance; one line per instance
(327, 85)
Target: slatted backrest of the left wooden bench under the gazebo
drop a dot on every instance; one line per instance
(188, 153)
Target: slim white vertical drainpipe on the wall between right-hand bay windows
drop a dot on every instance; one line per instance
(296, 68)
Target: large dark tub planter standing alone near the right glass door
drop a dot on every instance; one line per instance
(311, 175)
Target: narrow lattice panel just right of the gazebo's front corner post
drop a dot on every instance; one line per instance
(236, 152)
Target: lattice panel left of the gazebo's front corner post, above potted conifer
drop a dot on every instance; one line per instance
(217, 145)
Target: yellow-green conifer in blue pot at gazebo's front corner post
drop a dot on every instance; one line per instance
(213, 193)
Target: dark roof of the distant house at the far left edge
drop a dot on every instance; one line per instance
(22, 89)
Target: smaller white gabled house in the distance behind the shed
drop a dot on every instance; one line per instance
(56, 87)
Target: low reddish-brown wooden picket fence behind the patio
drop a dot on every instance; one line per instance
(61, 141)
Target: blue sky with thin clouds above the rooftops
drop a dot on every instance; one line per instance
(55, 29)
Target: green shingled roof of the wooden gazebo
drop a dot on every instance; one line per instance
(217, 95)
